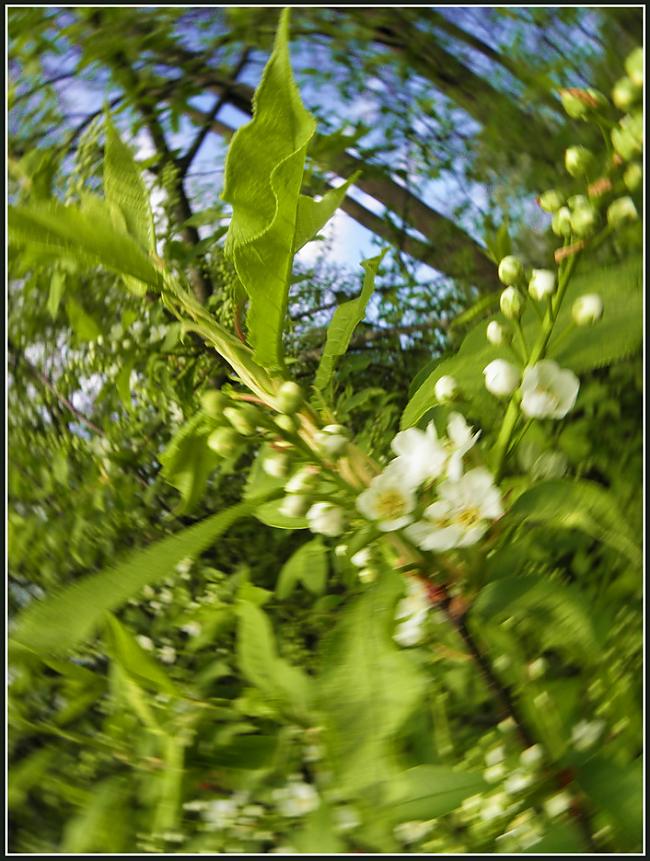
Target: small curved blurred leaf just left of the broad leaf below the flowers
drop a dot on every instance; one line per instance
(288, 687)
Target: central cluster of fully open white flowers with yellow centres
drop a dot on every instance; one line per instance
(465, 502)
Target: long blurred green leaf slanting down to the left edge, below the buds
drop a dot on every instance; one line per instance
(59, 623)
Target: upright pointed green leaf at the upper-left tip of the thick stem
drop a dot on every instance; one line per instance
(125, 190)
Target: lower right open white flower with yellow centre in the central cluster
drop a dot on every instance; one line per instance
(459, 517)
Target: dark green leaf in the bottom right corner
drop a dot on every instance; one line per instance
(618, 790)
